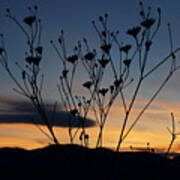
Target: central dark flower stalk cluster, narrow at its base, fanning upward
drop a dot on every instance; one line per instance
(105, 97)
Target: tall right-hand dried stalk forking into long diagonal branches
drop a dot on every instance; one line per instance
(143, 46)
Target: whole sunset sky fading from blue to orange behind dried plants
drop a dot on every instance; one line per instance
(75, 17)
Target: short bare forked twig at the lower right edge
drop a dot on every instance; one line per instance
(173, 133)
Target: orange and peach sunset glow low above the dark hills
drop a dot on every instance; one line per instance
(150, 128)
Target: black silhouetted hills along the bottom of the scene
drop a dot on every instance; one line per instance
(76, 162)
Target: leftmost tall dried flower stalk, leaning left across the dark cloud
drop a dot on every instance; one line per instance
(30, 86)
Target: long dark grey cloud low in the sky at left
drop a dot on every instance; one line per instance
(19, 111)
